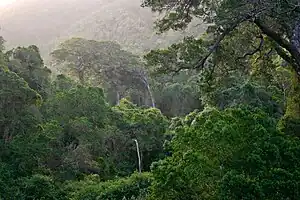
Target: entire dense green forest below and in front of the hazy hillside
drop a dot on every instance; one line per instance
(213, 116)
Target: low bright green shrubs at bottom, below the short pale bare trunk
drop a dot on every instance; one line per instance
(91, 188)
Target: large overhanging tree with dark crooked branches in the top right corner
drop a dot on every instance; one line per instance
(246, 31)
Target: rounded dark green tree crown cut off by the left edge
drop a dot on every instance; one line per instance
(15, 99)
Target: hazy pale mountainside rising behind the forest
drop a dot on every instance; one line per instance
(47, 23)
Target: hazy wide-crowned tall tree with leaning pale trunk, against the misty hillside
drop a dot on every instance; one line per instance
(103, 63)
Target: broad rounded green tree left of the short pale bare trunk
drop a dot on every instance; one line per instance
(82, 122)
